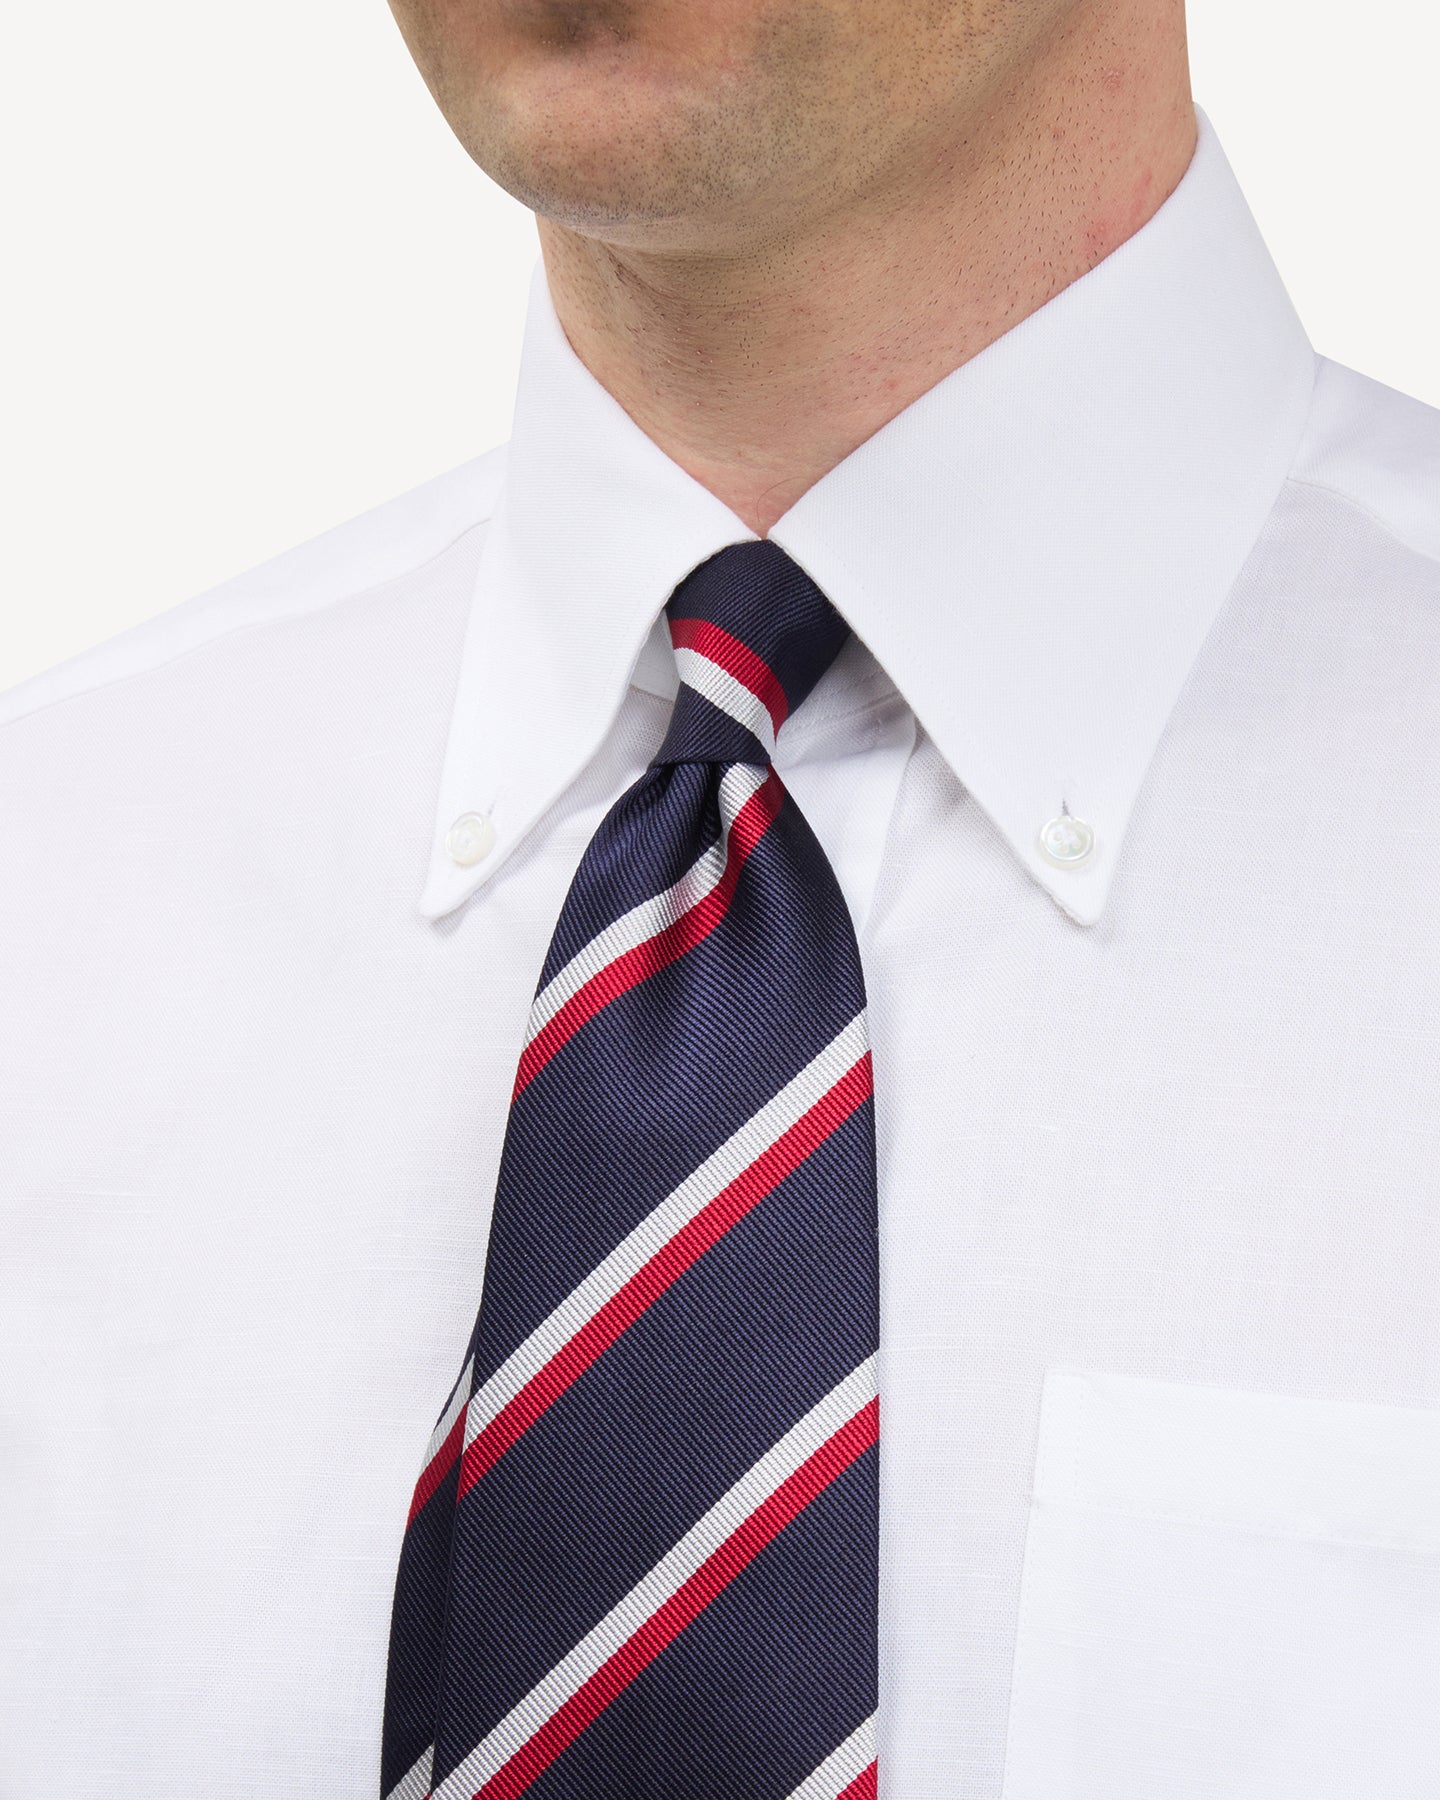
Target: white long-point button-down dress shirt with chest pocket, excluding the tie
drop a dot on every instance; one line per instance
(1144, 582)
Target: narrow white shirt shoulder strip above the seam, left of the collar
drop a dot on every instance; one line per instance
(377, 548)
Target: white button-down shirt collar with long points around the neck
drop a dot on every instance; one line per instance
(1034, 550)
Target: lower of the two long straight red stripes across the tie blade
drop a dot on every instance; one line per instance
(688, 1601)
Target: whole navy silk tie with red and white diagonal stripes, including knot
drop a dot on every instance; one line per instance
(643, 1552)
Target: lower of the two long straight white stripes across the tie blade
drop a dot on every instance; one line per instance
(669, 1576)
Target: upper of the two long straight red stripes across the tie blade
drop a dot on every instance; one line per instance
(665, 1268)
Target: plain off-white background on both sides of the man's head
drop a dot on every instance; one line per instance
(255, 287)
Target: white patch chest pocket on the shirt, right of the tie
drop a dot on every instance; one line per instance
(1228, 1597)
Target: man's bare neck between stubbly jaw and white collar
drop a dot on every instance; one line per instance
(760, 372)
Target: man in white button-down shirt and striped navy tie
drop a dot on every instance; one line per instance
(910, 377)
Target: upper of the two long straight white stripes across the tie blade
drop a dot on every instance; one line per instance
(660, 1227)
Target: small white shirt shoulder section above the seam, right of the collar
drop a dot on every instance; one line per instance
(1380, 451)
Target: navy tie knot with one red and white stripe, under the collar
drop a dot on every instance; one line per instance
(753, 634)
